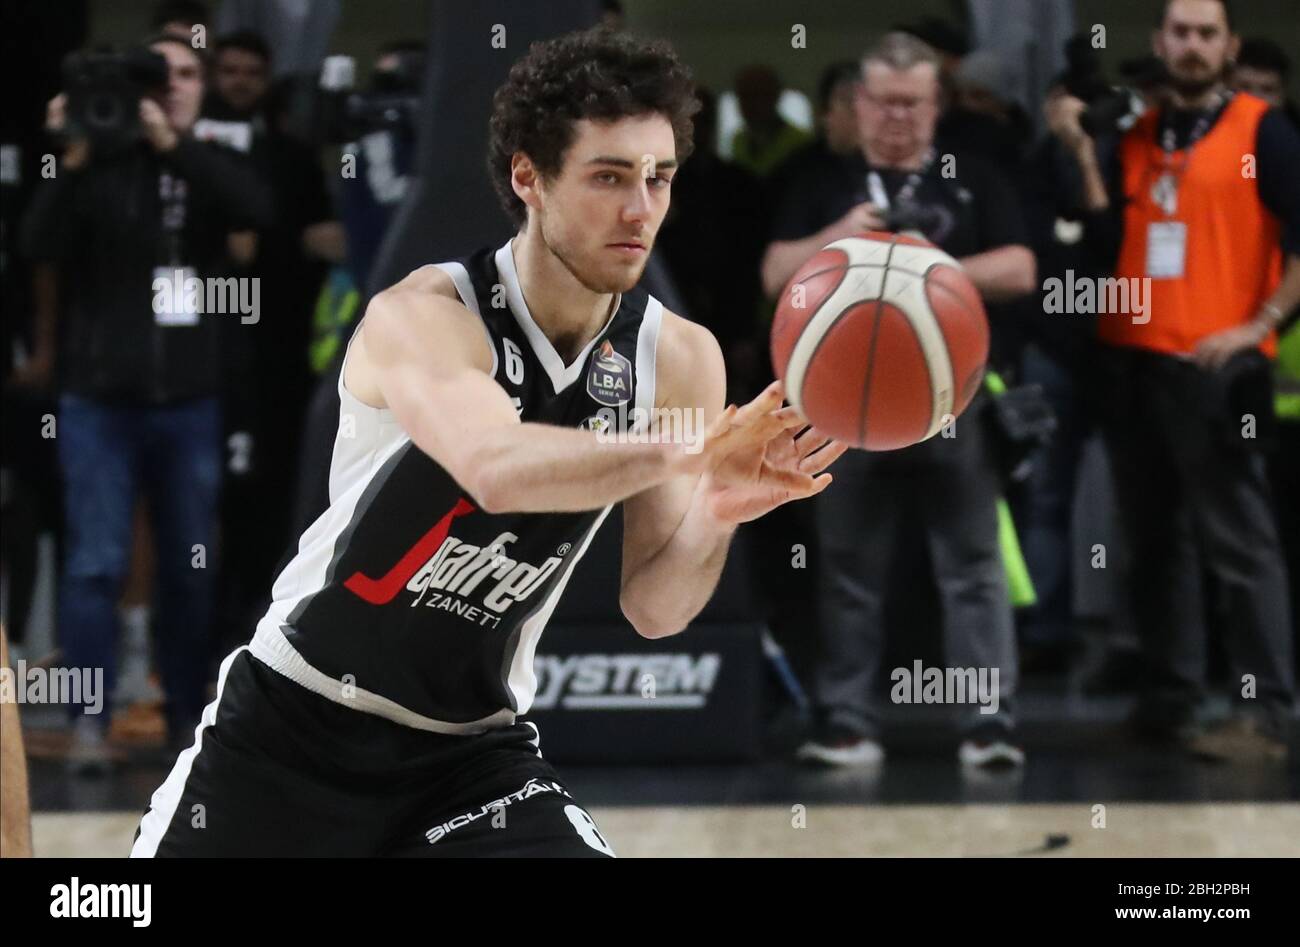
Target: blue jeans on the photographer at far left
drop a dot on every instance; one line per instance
(109, 455)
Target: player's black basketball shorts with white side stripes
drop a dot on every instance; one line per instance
(279, 771)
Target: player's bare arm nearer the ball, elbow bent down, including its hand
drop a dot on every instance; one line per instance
(677, 535)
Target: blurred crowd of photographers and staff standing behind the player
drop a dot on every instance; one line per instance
(183, 466)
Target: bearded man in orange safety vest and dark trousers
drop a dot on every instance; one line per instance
(1203, 202)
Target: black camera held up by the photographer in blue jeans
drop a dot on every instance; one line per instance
(105, 89)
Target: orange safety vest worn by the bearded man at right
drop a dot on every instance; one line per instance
(1234, 256)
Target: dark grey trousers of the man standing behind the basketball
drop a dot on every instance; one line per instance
(950, 488)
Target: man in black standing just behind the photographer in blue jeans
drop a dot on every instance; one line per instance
(265, 421)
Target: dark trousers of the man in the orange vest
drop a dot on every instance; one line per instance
(1193, 492)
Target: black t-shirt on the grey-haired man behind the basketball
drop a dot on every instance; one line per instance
(970, 213)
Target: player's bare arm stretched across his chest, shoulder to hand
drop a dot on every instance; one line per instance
(423, 354)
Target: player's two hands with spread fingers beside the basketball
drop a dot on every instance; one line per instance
(753, 461)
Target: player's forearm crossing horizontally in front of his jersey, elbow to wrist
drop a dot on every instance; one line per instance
(538, 468)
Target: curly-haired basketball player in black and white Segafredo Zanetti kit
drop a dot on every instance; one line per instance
(376, 710)
